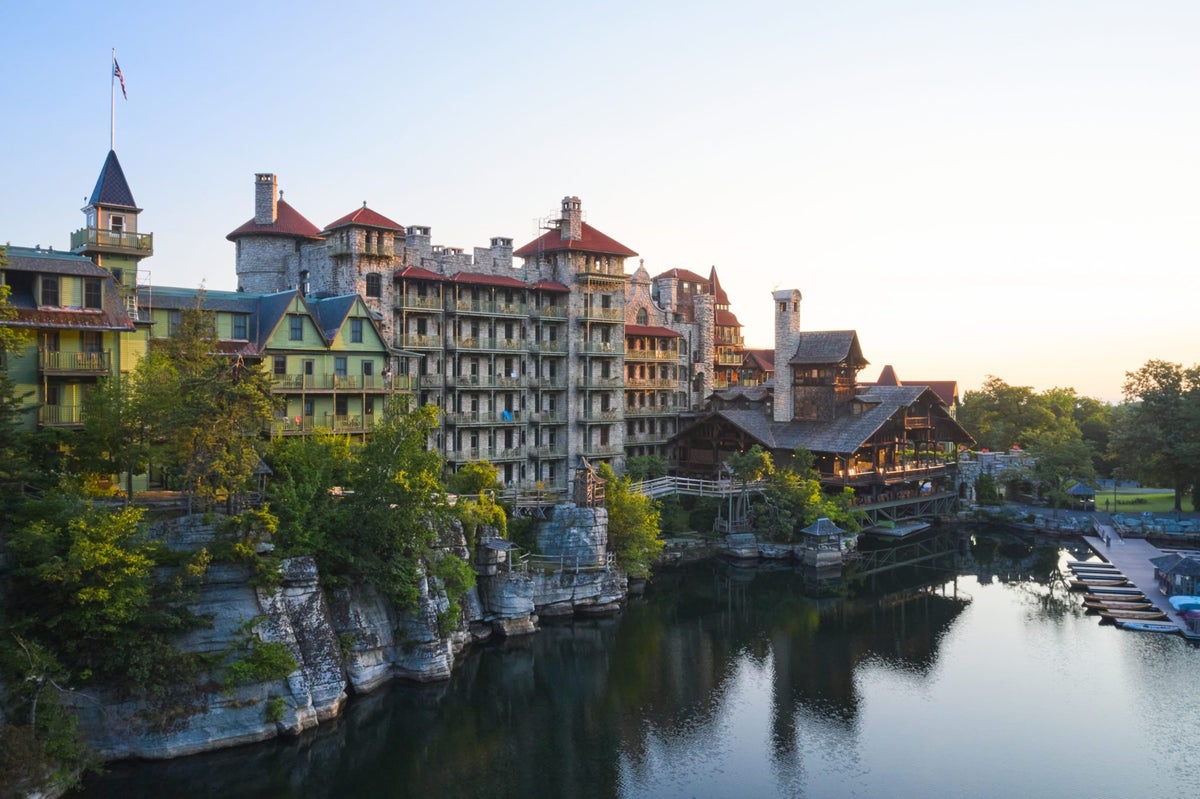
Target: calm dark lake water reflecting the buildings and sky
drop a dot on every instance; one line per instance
(988, 681)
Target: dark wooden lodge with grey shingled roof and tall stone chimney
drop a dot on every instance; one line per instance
(893, 444)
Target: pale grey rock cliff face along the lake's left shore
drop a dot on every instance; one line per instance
(350, 640)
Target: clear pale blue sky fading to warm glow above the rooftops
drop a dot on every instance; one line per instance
(1005, 189)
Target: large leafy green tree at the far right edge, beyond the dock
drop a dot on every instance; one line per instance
(1157, 434)
